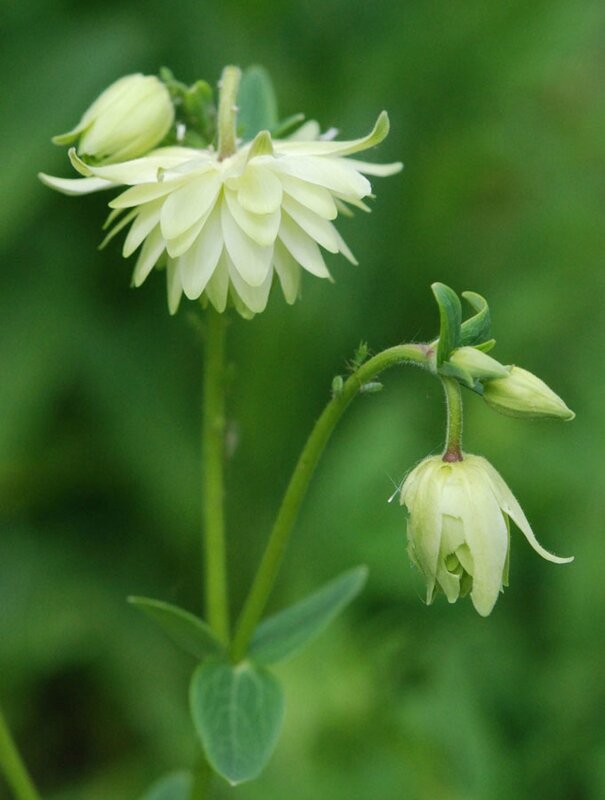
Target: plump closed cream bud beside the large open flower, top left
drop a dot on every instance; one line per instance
(127, 120)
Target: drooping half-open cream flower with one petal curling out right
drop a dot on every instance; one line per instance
(458, 529)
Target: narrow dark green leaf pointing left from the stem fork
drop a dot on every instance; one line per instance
(186, 630)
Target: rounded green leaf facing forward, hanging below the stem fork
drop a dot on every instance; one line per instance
(238, 712)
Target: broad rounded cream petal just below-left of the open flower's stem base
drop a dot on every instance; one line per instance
(189, 203)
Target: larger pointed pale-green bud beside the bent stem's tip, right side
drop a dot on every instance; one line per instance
(522, 394)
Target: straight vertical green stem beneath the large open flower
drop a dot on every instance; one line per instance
(213, 436)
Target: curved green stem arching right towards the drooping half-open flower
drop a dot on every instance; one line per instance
(299, 482)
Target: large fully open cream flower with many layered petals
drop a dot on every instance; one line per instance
(223, 228)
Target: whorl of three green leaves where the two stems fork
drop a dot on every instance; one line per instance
(238, 709)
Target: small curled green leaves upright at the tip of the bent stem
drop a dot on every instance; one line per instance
(453, 333)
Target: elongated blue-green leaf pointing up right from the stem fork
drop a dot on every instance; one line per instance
(288, 631)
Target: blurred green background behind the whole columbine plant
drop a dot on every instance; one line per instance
(498, 112)
